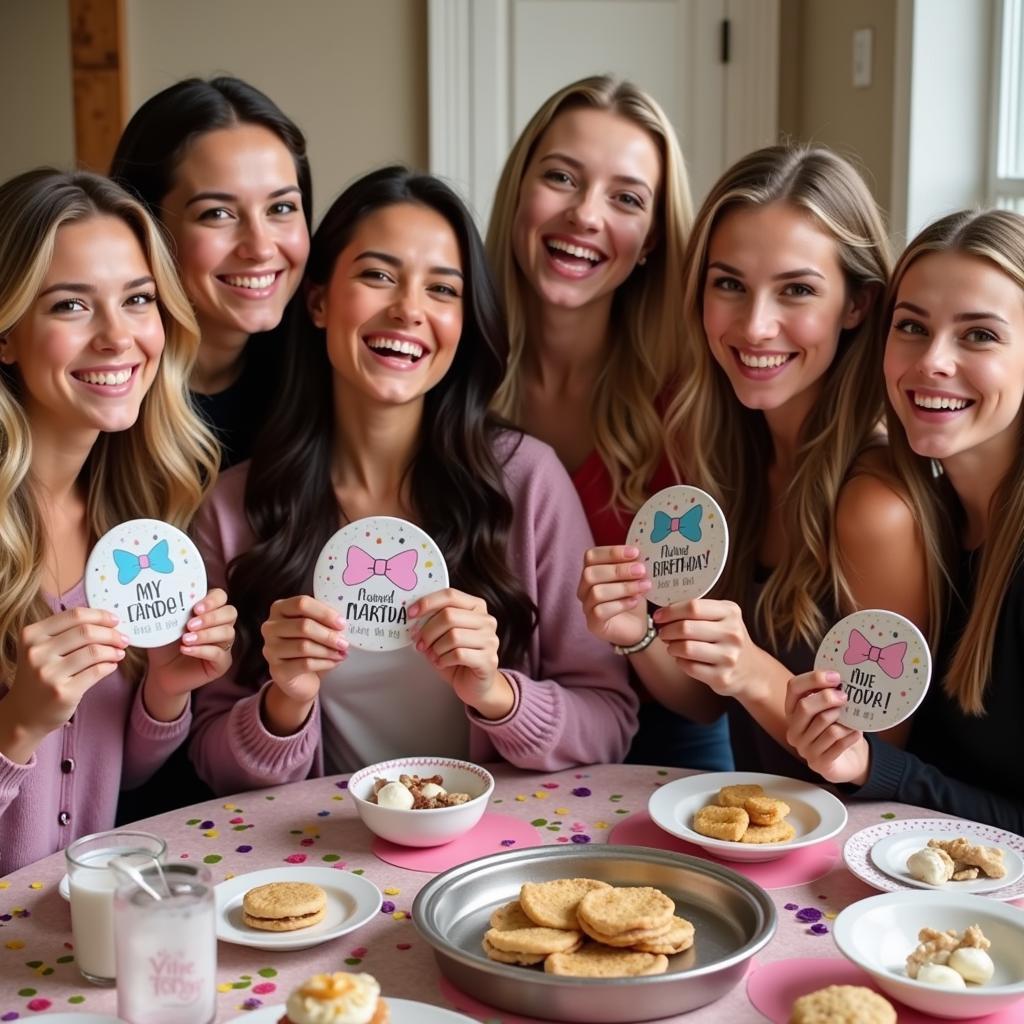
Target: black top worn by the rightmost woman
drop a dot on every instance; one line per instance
(965, 765)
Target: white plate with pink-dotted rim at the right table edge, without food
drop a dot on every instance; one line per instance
(858, 854)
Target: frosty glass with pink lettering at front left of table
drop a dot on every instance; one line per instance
(167, 949)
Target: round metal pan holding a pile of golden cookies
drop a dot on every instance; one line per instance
(605, 934)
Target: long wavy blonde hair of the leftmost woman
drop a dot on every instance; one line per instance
(159, 468)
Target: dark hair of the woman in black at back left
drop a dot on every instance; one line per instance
(158, 135)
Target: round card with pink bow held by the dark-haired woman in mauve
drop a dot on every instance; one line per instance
(371, 571)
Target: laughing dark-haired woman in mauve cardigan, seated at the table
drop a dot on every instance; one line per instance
(389, 383)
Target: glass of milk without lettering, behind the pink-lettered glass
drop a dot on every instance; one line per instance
(93, 883)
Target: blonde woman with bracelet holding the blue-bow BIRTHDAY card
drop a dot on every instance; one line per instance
(779, 418)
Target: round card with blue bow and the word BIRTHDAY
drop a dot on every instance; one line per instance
(684, 540)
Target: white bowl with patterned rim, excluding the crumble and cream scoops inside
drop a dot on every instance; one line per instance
(431, 827)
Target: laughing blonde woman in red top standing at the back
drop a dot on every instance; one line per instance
(586, 242)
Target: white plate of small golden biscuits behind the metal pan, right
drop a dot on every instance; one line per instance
(747, 817)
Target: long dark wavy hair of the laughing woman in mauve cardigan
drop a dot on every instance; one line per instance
(455, 477)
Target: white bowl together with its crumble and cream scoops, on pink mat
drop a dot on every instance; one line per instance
(431, 814)
